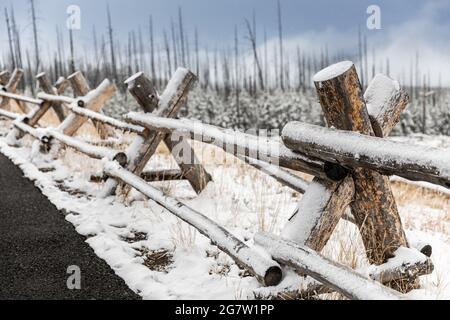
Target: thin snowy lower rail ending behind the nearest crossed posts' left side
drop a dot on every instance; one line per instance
(281, 175)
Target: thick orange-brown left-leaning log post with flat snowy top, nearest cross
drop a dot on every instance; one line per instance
(374, 206)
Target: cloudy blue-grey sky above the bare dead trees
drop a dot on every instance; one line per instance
(408, 26)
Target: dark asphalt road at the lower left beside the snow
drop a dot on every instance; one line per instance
(37, 246)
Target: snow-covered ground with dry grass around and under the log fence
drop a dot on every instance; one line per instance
(161, 257)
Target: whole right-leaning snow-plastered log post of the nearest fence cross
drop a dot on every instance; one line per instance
(314, 221)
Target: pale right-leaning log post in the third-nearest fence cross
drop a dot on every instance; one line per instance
(94, 101)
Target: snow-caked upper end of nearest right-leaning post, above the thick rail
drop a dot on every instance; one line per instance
(385, 103)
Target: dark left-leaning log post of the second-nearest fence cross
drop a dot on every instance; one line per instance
(141, 88)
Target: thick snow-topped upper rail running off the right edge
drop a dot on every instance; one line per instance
(413, 162)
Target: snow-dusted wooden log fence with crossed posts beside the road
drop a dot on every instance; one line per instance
(350, 159)
